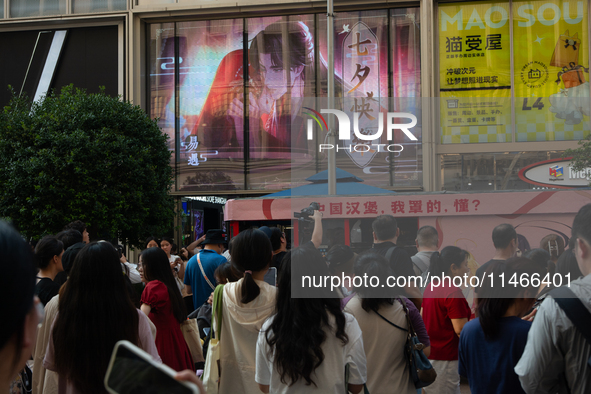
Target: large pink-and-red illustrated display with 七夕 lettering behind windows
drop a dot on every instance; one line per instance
(231, 95)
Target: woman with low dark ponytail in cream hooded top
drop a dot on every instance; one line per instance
(247, 303)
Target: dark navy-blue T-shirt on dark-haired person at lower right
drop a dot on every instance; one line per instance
(489, 364)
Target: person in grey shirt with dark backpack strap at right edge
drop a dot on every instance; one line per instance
(557, 356)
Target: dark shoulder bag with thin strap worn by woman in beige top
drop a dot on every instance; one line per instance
(422, 373)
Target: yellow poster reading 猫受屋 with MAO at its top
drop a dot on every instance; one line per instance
(475, 72)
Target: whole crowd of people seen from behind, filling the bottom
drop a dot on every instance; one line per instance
(71, 300)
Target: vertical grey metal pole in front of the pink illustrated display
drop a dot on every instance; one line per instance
(332, 158)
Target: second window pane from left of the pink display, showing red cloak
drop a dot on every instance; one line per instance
(211, 85)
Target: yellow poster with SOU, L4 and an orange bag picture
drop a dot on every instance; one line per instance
(551, 63)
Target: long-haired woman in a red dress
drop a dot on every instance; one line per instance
(163, 303)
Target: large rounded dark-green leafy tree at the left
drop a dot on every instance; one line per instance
(84, 156)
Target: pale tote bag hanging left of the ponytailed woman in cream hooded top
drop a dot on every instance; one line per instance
(212, 372)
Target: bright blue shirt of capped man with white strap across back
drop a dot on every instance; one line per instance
(210, 260)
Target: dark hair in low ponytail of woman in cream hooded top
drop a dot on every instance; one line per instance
(251, 252)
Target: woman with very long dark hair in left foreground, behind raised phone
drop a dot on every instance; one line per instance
(95, 311)
